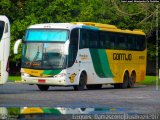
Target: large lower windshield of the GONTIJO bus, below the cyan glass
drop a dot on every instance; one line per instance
(43, 56)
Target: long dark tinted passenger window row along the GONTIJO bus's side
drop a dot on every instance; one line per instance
(111, 40)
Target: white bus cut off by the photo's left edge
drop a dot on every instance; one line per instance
(4, 48)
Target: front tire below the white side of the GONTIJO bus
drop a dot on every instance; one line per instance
(82, 82)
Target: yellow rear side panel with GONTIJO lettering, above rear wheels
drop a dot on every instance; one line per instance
(121, 61)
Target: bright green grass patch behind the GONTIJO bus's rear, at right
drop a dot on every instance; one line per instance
(150, 80)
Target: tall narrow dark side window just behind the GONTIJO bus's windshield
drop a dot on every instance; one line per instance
(73, 47)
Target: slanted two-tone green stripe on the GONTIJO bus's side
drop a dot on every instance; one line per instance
(100, 63)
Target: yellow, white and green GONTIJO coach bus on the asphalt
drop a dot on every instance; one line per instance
(82, 55)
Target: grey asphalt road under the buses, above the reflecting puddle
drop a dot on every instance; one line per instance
(140, 99)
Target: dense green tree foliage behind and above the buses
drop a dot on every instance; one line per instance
(23, 13)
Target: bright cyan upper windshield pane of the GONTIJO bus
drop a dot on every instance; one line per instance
(51, 35)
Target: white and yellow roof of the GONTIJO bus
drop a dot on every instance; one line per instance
(89, 25)
